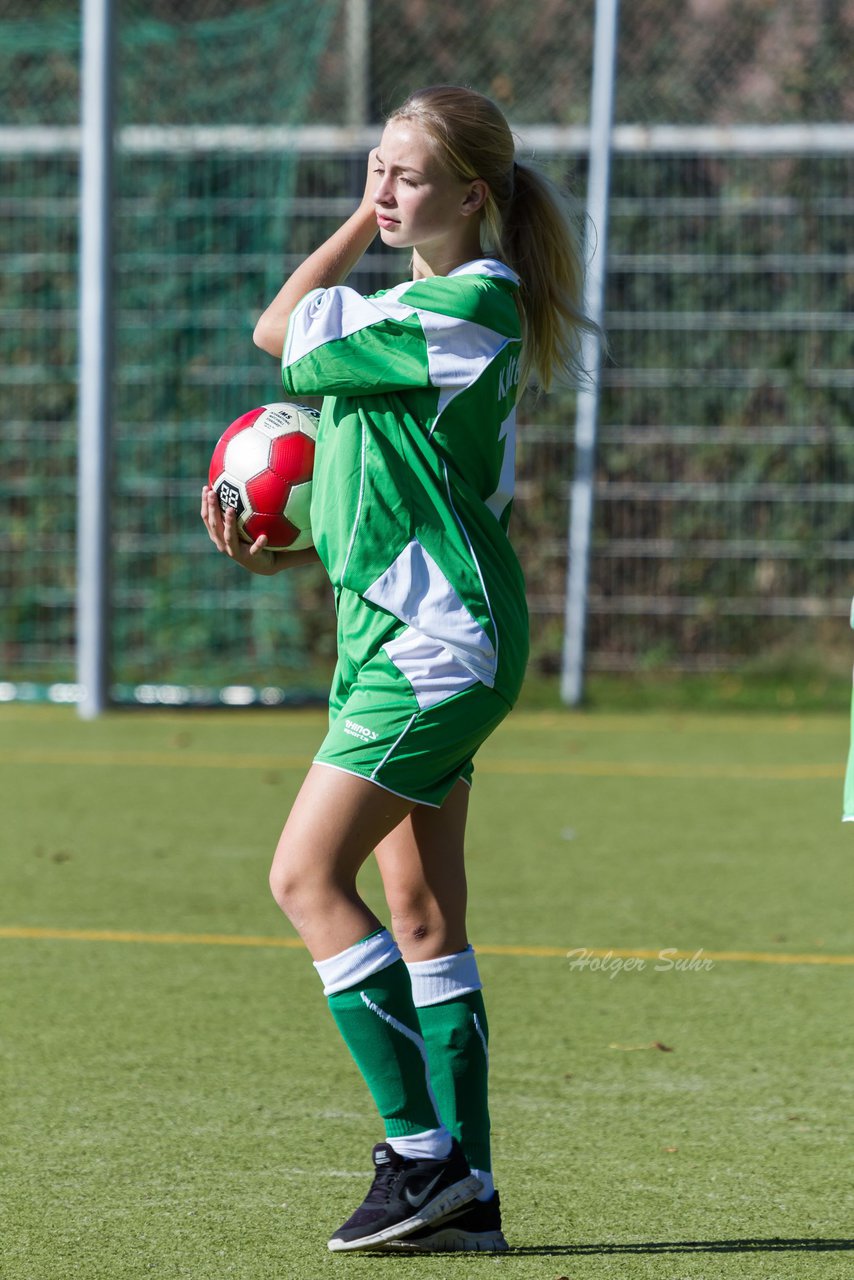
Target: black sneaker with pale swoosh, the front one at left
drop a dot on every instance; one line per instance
(405, 1196)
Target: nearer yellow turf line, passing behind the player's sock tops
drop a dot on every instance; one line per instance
(240, 940)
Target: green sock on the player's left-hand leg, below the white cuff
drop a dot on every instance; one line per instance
(381, 1028)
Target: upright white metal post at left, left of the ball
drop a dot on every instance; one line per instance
(95, 356)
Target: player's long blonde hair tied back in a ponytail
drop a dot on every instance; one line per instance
(526, 223)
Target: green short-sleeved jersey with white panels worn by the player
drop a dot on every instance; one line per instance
(414, 473)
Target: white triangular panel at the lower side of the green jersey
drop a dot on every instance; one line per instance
(417, 592)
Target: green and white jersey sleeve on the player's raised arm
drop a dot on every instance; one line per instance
(342, 344)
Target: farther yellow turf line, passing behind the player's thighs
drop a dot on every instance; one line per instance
(182, 760)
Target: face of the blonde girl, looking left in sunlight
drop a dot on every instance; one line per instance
(419, 204)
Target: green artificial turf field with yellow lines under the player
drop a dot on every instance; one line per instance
(176, 1101)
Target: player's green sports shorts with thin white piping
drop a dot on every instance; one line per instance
(380, 732)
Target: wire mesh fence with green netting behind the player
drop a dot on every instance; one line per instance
(727, 467)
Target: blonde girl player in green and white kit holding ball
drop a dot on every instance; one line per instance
(412, 499)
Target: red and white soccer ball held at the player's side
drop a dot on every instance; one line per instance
(262, 468)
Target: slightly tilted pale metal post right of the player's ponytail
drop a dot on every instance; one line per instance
(588, 401)
